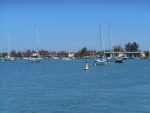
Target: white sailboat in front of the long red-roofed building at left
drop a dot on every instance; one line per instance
(35, 57)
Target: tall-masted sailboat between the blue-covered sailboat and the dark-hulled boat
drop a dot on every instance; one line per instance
(111, 57)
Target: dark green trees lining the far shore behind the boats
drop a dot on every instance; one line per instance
(129, 47)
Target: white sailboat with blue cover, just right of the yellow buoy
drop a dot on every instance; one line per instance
(101, 60)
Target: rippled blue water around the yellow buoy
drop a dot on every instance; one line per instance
(65, 87)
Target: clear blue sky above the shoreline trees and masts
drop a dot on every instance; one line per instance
(70, 25)
